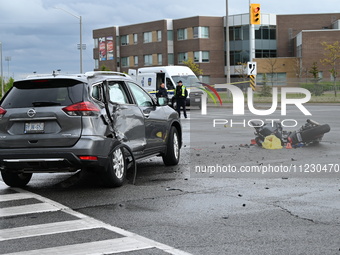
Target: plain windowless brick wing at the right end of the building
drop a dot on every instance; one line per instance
(301, 36)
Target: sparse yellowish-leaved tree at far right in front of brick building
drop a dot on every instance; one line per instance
(332, 59)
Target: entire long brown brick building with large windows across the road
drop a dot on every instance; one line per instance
(284, 40)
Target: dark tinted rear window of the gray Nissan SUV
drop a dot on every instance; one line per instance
(36, 93)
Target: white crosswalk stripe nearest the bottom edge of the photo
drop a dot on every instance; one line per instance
(117, 245)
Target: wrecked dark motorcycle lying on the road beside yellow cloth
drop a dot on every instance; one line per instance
(310, 132)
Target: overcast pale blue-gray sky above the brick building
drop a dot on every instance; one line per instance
(40, 38)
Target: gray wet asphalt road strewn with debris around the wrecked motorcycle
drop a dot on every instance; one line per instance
(277, 213)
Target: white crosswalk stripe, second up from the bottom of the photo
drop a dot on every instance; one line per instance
(45, 229)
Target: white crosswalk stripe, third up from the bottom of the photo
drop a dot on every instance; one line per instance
(27, 209)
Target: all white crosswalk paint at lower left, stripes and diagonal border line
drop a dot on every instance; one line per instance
(127, 241)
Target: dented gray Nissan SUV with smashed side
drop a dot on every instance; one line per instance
(99, 121)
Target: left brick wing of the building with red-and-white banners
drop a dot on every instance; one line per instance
(163, 42)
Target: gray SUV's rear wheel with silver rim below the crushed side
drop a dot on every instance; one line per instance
(115, 171)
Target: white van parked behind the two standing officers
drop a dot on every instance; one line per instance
(150, 79)
